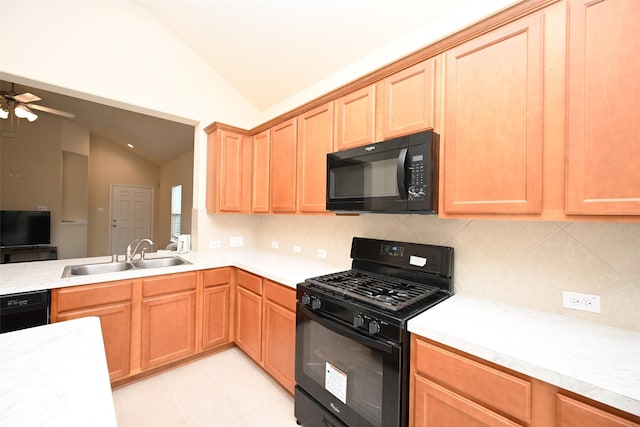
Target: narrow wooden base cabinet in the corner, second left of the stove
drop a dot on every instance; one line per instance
(248, 322)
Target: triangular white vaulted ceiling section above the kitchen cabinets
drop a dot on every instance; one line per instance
(269, 50)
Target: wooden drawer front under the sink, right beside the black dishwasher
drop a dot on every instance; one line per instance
(77, 297)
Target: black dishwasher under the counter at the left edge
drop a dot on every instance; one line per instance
(24, 310)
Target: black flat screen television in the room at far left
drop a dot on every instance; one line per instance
(25, 228)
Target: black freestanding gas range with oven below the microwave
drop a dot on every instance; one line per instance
(352, 343)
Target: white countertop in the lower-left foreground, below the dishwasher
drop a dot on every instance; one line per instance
(55, 375)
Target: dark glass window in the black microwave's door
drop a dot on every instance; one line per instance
(377, 178)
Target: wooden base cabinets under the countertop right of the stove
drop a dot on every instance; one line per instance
(451, 388)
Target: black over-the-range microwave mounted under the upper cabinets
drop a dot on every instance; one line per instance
(399, 175)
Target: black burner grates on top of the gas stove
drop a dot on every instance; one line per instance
(382, 291)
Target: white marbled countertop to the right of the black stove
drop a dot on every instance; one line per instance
(591, 359)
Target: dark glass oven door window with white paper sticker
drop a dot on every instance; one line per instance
(351, 372)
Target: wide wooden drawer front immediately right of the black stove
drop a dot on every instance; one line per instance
(491, 387)
